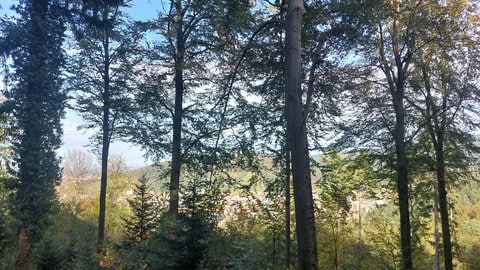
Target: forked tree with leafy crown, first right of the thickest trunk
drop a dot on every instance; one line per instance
(389, 45)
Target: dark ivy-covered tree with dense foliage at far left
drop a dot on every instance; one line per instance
(36, 104)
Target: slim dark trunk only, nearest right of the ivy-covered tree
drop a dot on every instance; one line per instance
(105, 139)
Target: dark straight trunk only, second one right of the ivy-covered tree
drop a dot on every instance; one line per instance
(178, 113)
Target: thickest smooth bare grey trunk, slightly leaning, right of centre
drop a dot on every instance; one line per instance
(297, 135)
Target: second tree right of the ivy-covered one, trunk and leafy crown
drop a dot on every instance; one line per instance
(179, 117)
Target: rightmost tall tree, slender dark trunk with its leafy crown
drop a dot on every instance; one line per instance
(447, 99)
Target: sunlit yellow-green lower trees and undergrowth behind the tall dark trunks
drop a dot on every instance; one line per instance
(249, 225)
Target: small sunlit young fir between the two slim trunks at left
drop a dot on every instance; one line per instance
(144, 219)
